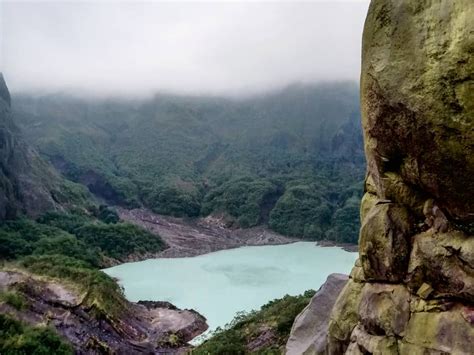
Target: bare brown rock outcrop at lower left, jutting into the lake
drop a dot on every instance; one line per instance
(144, 328)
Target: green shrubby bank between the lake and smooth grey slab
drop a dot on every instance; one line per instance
(274, 320)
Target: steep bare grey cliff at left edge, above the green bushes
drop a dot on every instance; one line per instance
(28, 184)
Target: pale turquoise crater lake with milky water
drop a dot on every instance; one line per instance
(220, 284)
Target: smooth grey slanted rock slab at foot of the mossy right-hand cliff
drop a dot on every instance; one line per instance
(308, 334)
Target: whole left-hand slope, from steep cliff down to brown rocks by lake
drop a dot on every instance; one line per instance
(53, 298)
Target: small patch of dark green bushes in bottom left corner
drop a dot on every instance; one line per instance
(17, 338)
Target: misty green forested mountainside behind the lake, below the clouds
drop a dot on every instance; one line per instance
(285, 159)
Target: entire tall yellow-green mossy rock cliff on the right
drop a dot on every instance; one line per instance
(412, 289)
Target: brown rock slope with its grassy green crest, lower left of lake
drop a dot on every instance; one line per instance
(91, 314)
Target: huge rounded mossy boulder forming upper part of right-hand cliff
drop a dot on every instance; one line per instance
(417, 98)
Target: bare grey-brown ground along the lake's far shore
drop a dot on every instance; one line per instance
(192, 237)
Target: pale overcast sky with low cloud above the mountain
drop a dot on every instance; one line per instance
(190, 47)
